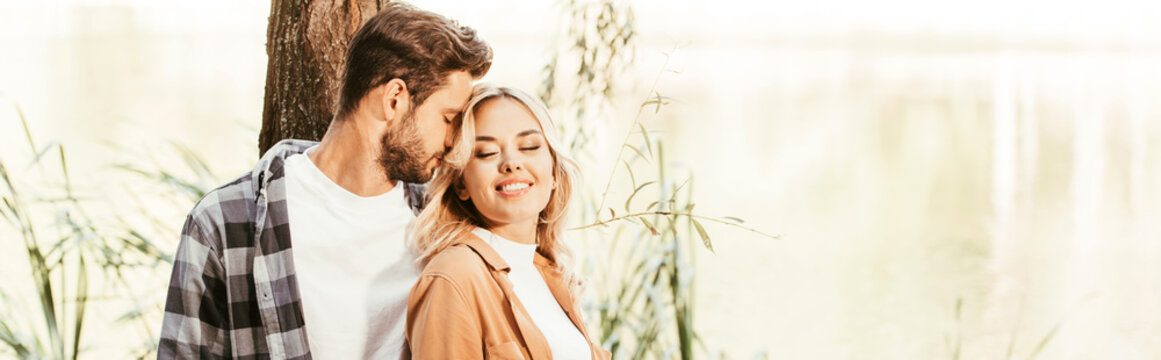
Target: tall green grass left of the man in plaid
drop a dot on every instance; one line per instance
(76, 261)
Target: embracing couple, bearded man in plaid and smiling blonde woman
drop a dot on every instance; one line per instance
(327, 250)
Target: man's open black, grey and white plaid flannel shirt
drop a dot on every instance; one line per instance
(234, 293)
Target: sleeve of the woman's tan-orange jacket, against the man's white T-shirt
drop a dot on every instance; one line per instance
(441, 322)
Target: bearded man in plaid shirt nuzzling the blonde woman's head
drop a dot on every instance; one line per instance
(240, 290)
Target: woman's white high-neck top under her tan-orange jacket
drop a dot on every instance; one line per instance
(566, 342)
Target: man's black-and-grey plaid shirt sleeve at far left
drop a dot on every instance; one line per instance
(197, 311)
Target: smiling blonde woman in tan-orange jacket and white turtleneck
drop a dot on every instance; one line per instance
(497, 284)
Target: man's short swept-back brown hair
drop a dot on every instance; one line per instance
(415, 46)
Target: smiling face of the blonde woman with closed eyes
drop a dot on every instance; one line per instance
(510, 175)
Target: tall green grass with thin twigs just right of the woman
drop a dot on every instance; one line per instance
(647, 291)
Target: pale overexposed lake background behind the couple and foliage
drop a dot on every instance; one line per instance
(911, 154)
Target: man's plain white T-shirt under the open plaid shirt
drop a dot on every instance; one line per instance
(354, 268)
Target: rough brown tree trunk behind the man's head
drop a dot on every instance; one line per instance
(307, 45)
